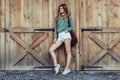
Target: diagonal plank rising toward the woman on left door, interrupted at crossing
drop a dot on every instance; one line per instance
(34, 45)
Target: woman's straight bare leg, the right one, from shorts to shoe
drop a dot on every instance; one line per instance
(68, 51)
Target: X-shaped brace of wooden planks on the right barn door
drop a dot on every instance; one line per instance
(102, 45)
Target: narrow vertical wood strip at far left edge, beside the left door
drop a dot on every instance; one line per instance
(2, 35)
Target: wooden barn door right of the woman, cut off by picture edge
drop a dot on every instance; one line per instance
(101, 34)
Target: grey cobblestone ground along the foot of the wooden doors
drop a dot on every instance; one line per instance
(49, 75)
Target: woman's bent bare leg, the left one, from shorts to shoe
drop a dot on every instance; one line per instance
(52, 49)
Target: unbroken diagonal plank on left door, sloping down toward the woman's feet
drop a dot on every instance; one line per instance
(28, 49)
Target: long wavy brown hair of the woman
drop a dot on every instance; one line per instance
(66, 11)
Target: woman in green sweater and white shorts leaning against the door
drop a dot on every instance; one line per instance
(62, 35)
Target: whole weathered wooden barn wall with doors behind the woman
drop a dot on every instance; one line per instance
(96, 23)
